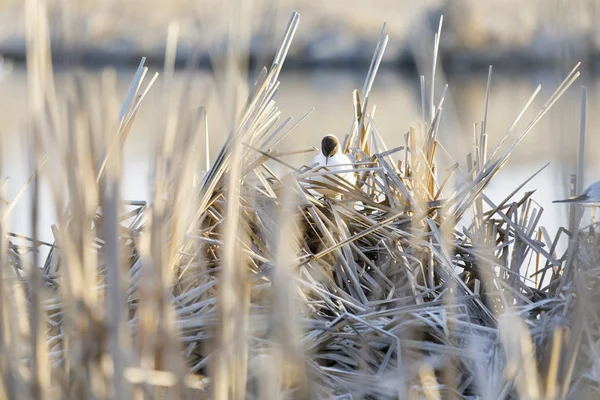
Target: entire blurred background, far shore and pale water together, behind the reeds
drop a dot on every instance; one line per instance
(529, 43)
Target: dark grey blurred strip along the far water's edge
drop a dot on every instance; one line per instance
(513, 60)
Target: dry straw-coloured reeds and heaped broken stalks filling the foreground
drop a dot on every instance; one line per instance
(238, 283)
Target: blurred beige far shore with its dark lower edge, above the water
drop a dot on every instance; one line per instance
(508, 34)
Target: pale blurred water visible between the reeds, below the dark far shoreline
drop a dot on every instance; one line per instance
(397, 98)
